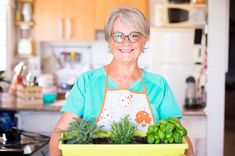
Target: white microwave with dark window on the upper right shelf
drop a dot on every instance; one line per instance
(180, 15)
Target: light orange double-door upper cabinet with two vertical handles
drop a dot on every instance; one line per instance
(57, 20)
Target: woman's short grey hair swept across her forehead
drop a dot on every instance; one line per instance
(130, 16)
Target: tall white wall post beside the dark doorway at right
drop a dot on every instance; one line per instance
(217, 56)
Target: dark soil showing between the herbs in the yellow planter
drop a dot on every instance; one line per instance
(137, 140)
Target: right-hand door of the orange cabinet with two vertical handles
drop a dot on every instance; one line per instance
(79, 20)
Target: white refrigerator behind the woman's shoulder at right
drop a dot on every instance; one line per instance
(172, 57)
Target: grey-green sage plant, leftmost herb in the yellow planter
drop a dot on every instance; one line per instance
(79, 131)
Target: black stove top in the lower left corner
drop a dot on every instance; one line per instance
(20, 143)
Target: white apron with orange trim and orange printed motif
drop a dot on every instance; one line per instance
(120, 102)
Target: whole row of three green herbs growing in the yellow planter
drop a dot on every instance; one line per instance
(82, 131)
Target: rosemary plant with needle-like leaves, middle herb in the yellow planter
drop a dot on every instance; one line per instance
(122, 132)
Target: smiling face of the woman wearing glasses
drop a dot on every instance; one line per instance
(126, 52)
